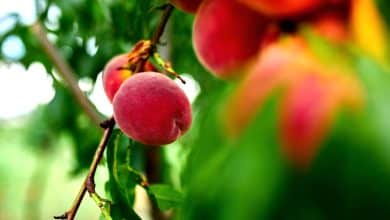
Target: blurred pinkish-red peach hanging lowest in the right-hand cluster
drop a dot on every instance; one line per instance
(306, 111)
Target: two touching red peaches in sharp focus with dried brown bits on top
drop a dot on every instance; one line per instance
(149, 107)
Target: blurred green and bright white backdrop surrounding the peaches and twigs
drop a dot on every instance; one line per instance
(47, 141)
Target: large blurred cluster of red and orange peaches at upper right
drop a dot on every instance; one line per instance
(260, 44)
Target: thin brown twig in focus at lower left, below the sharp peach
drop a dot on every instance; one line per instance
(88, 183)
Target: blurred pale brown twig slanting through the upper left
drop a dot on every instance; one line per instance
(66, 72)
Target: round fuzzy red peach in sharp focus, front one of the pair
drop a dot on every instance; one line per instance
(150, 108)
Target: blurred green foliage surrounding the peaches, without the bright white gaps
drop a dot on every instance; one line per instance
(222, 178)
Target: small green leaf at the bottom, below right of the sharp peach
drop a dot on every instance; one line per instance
(166, 196)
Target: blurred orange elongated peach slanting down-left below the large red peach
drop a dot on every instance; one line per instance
(269, 72)
